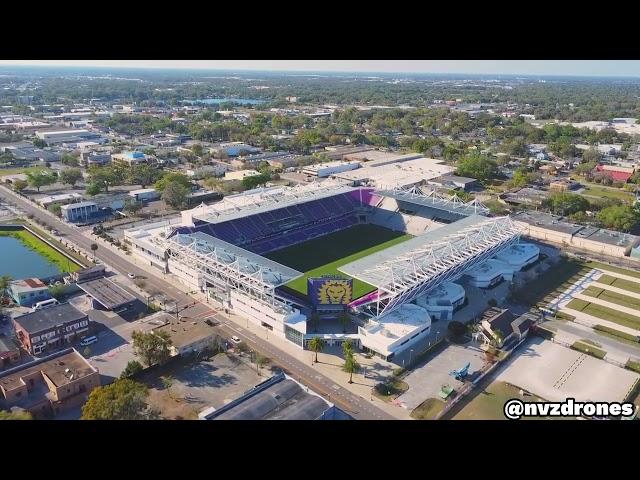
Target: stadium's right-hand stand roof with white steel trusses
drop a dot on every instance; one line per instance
(406, 271)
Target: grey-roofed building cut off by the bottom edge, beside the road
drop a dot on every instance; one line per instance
(278, 398)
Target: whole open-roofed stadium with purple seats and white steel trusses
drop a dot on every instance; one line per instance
(333, 260)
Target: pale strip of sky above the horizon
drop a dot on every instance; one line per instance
(506, 67)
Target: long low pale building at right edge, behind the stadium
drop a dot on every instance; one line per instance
(558, 230)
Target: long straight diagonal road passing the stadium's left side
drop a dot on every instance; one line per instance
(347, 401)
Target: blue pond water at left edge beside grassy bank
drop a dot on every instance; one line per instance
(21, 262)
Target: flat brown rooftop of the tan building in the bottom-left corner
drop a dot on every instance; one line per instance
(58, 367)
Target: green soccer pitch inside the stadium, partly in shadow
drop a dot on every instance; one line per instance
(323, 256)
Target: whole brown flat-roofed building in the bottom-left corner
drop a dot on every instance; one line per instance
(49, 386)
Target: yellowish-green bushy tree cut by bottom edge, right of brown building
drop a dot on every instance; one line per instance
(124, 399)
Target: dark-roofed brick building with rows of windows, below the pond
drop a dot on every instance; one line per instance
(50, 328)
